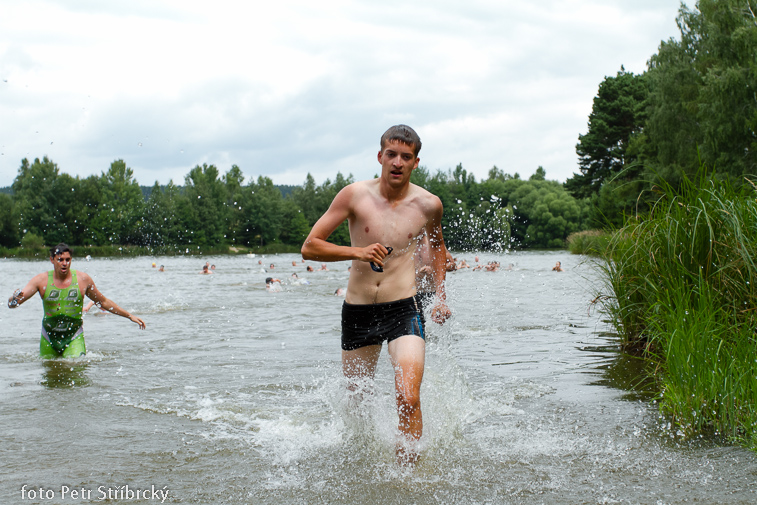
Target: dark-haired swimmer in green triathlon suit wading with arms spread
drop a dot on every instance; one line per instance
(62, 292)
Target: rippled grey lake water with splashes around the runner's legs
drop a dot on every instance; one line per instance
(235, 395)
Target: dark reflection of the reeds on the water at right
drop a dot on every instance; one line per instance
(627, 372)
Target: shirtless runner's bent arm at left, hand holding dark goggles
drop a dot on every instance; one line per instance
(318, 248)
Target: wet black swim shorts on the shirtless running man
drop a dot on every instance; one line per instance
(372, 324)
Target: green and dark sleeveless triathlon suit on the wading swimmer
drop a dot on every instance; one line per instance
(62, 326)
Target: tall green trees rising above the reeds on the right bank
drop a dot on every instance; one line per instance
(695, 105)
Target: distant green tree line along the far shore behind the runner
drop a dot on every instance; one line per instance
(227, 209)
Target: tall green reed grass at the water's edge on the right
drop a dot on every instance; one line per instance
(681, 288)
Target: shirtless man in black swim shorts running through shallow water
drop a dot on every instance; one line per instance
(387, 217)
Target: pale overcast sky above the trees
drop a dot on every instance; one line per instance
(289, 87)
